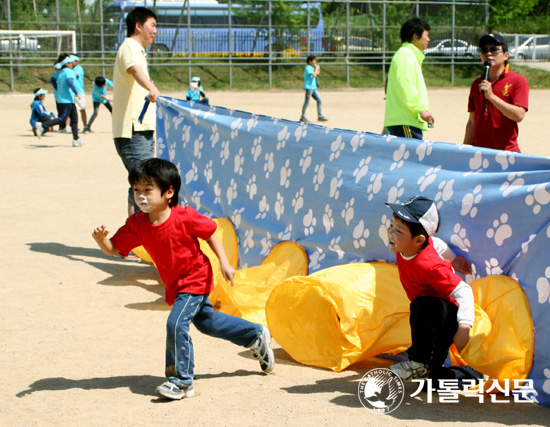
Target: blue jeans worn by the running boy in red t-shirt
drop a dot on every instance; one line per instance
(197, 309)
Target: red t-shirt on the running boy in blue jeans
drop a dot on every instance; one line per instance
(174, 248)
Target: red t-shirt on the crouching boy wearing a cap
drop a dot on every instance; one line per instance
(427, 274)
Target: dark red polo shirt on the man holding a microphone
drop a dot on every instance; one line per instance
(495, 130)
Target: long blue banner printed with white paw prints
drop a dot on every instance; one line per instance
(326, 189)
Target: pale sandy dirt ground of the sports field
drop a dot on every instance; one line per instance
(82, 334)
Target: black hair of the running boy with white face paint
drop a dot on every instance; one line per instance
(162, 172)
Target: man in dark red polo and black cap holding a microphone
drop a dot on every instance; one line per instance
(498, 104)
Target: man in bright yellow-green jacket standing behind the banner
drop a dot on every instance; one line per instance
(407, 108)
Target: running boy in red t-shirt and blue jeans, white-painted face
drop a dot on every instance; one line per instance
(170, 233)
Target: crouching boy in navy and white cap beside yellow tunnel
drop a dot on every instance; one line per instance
(442, 304)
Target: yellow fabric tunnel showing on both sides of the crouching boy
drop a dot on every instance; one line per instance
(344, 314)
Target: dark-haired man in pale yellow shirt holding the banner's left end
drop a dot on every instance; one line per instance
(134, 139)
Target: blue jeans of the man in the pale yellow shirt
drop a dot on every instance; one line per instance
(140, 146)
